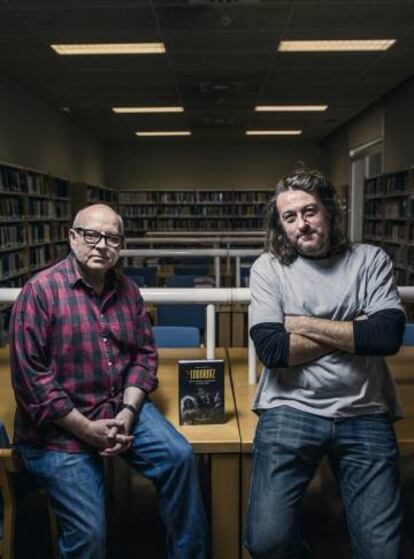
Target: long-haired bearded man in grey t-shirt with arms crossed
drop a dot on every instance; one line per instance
(325, 312)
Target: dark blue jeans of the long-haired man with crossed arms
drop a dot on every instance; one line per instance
(363, 454)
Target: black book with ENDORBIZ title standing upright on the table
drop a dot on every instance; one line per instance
(201, 391)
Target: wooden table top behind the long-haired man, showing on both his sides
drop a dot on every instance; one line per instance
(402, 369)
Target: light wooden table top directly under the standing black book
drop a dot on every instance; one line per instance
(219, 438)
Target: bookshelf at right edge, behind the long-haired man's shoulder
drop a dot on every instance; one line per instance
(389, 219)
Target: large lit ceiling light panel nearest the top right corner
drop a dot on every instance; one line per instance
(342, 45)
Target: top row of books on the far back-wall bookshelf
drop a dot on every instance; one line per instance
(194, 196)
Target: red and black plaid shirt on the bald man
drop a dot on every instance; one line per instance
(71, 348)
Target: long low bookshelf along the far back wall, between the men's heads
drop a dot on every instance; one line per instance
(192, 210)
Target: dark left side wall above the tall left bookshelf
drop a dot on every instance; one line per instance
(35, 135)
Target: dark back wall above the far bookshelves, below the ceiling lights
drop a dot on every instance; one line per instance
(253, 163)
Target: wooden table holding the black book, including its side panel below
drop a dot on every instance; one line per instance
(221, 442)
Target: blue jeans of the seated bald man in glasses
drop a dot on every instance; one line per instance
(75, 485)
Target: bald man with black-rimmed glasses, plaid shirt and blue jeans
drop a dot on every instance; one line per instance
(83, 362)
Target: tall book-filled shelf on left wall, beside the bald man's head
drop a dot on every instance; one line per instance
(34, 224)
